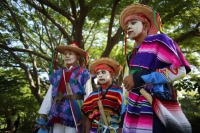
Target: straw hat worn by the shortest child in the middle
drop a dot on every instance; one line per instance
(110, 62)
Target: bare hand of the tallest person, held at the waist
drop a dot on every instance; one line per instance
(128, 82)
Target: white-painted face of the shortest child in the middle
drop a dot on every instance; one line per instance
(103, 76)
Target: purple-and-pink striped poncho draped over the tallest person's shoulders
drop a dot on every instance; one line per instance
(159, 51)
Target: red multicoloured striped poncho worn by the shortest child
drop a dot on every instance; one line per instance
(111, 99)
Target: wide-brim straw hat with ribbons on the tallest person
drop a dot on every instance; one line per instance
(144, 9)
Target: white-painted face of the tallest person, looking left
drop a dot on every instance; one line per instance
(134, 28)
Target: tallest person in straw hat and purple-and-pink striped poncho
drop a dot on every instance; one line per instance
(154, 63)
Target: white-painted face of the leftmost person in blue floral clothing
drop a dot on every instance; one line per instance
(70, 57)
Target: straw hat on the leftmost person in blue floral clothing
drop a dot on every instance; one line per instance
(72, 47)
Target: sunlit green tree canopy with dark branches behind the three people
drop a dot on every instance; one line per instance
(31, 29)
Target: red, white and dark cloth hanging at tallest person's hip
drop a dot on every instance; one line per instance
(171, 116)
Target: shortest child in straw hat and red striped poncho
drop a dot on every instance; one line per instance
(103, 105)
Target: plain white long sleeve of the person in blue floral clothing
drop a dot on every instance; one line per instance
(47, 102)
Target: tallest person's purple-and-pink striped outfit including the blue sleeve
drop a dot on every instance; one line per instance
(157, 63)
